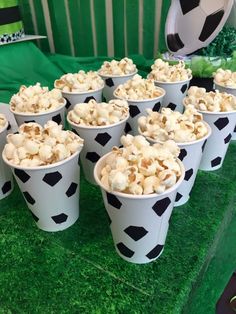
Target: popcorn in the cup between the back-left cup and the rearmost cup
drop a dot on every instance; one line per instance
(79, 82)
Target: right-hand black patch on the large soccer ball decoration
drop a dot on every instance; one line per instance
(211, 23)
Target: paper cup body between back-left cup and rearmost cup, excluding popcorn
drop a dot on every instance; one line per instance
(74, 98)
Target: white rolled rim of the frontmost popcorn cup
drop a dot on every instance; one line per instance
(143, 196)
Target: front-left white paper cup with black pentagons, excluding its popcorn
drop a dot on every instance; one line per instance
(51, 192)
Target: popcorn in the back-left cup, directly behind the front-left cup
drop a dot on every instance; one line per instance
(36, 99)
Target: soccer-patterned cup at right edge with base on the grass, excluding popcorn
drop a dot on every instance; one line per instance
(222, 125)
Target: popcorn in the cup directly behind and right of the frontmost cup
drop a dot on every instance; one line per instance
(172, 125)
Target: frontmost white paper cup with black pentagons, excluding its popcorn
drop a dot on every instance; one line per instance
(139, 223)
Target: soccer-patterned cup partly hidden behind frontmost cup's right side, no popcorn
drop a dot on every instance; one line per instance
(190, 155)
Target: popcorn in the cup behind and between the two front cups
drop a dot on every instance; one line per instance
(98, 114)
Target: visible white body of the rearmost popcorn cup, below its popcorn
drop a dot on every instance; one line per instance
(112, 82)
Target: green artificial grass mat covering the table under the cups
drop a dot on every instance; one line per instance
(78, 270)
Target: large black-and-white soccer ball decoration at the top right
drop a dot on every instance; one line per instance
(191, 25)
